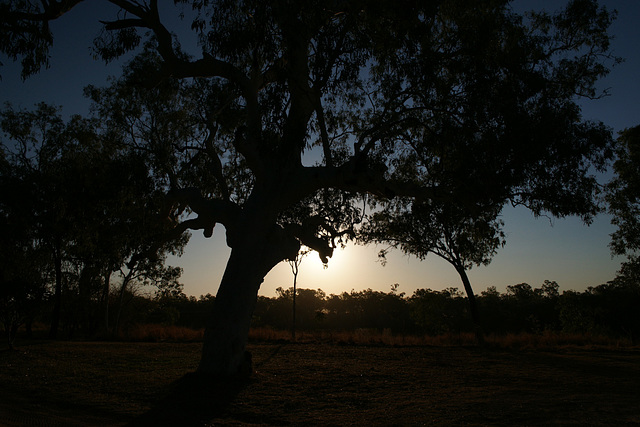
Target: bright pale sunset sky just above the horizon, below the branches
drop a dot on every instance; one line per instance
(565, 250)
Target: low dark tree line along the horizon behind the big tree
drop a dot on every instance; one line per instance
(607, 310)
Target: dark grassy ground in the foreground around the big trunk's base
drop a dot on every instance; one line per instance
(111, 383)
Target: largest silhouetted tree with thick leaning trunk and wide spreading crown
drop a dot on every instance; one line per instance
(309, 107)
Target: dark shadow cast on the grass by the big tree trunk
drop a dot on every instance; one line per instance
(194, 400)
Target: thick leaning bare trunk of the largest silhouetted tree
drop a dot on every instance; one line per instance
(252, 257)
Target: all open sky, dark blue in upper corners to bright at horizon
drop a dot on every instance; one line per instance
(537, 249)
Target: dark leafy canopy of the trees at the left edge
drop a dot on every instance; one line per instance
(77, 207)
